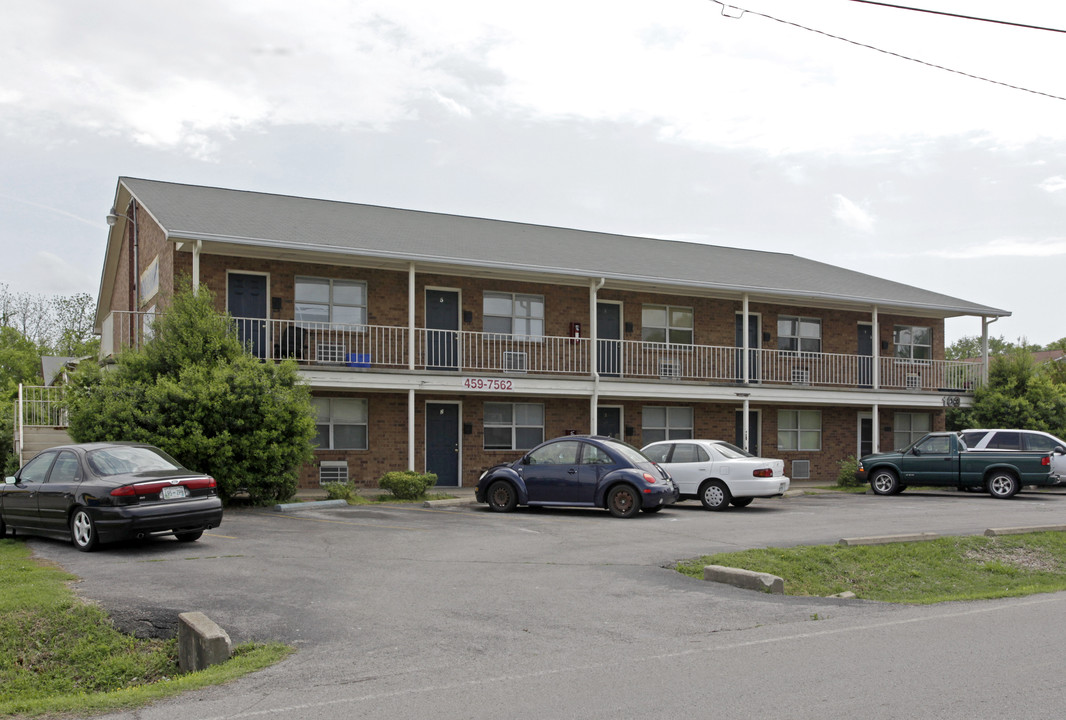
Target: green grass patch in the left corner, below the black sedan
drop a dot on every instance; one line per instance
(60, 655)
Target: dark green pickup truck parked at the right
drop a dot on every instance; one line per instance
(943, 459)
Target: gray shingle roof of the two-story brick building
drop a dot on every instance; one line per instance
(300, 223)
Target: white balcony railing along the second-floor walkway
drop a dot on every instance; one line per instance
(365, 347)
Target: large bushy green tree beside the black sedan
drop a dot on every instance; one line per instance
(195, 392)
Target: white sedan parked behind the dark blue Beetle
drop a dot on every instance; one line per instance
(719, 474)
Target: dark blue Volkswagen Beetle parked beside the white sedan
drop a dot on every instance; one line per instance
(579, 472)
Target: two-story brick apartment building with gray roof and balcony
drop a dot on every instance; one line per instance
(449, 344)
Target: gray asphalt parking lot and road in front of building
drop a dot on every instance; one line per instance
(408, 612)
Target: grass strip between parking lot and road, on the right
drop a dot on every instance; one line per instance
(948, 569)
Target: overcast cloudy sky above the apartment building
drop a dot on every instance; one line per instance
(675, 119)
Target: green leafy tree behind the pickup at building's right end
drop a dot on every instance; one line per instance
(1019, 395)
